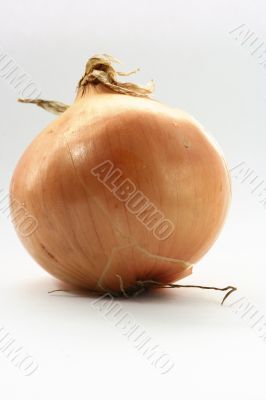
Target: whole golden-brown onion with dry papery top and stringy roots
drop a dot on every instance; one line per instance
(128, 193)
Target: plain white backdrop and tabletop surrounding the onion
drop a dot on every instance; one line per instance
(186, 47)
